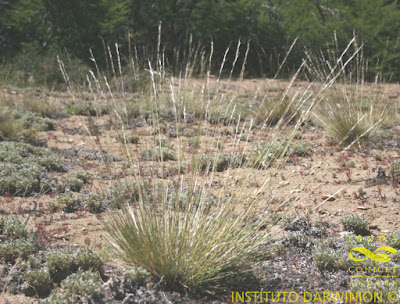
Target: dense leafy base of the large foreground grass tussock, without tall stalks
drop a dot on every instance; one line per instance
(171, 244)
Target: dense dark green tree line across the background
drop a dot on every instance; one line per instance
(30, 28)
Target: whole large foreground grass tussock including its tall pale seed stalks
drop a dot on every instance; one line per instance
(202, 235)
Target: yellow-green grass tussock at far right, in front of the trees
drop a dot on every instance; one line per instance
(351, 111)
